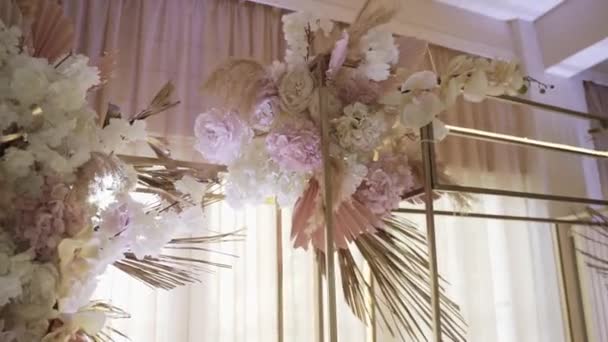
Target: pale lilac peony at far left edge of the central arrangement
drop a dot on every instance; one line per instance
(221, 135)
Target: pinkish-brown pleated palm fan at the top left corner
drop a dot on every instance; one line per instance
(52, 34)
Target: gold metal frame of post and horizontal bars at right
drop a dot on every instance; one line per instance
(431, 185)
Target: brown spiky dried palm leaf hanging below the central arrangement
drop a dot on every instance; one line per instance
(398, 259)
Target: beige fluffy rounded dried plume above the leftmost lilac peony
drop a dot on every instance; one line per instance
(248, 79)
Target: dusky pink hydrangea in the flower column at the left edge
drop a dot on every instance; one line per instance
(42, 222)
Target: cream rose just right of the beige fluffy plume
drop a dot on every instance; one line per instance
(296, 90)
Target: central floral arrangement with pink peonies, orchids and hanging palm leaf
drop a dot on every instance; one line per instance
(269, 137)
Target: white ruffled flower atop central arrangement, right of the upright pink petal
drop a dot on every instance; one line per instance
(380, 52)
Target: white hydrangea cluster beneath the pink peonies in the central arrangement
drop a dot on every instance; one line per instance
(254, 178)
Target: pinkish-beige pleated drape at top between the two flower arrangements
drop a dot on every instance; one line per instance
(180, 41)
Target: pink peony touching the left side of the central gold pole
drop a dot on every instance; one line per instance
(295, 146)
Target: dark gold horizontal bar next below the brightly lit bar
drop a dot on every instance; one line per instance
(529, 195)
